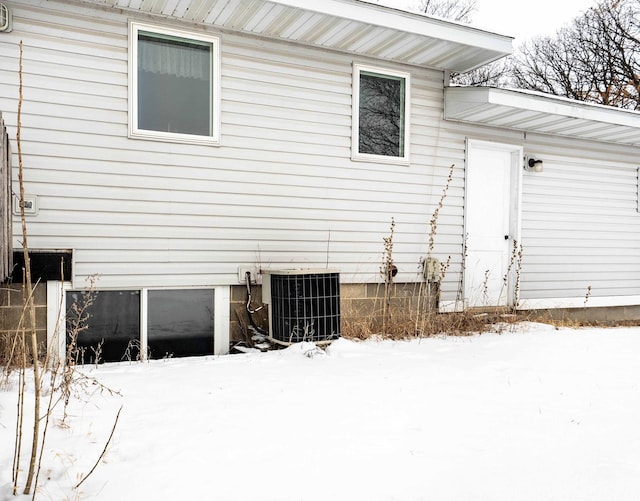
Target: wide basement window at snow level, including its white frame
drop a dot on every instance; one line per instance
(113, 325)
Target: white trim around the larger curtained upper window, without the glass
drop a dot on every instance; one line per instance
(134, 131)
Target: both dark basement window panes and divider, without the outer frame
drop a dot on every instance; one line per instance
(108, 326)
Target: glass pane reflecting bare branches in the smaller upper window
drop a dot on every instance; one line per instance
(381, 112)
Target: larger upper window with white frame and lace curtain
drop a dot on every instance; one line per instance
(174, 85)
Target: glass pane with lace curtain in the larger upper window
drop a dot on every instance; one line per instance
(174, 84)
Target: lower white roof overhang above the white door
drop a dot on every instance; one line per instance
(541, 113)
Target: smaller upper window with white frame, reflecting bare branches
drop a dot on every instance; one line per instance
(380, 130)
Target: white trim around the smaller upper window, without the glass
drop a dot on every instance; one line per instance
(355, 114)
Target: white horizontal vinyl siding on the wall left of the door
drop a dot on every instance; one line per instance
(280, 191)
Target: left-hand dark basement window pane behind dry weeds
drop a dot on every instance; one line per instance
(107, 324)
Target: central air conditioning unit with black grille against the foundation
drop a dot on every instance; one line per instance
(304, 305)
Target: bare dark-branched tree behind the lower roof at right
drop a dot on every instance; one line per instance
(596, 58)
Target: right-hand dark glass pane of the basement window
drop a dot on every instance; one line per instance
(180, 323)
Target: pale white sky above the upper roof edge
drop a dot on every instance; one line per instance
(519, 19)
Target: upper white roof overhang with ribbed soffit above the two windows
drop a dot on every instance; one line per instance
(352, 26)
